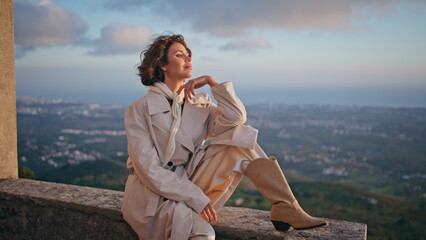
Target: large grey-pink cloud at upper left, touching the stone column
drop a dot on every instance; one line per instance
(43, 23)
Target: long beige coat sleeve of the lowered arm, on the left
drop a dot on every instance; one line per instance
(147, 166)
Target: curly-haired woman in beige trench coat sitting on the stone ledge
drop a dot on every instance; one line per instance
(178, 183)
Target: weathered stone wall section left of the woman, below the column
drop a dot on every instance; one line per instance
(41, 210)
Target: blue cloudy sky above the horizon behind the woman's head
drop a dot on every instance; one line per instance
(365, 52)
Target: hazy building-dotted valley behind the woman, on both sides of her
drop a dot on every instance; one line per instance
(328, 142)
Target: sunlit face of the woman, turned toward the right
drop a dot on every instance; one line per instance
(179, 66)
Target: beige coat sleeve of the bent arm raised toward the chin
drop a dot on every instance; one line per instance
(229, 111)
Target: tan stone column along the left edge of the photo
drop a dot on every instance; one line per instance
(8, 133)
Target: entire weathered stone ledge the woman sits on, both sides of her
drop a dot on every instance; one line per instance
(42, 210)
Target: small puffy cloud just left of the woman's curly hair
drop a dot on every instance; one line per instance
(120, 39)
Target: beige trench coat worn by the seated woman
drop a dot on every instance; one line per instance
(154, 192)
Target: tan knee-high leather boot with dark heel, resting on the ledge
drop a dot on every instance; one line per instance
(268, 178)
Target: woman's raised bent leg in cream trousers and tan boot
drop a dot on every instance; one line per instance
(222, 169)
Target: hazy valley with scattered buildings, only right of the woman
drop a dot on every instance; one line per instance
(346, 141)
